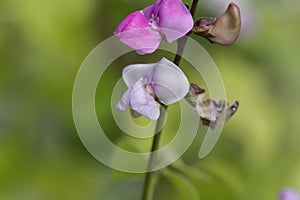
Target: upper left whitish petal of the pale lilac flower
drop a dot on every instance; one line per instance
(132, 73)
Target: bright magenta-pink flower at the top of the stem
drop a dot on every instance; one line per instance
(144, 30)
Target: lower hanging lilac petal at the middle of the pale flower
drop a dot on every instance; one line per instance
(142, 102)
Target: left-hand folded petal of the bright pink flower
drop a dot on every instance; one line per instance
(136, 32)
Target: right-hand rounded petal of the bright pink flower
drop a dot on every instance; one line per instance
(175, 19)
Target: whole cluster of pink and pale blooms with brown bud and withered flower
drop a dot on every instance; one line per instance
(163, 82)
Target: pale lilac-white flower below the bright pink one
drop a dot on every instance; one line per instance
(162, 81)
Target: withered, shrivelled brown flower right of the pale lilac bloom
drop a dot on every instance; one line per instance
(211, 112)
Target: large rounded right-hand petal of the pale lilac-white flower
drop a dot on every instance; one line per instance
(170, 83)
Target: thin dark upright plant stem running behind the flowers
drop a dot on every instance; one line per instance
(155, 144)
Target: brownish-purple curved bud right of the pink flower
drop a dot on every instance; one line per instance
(223, 30)
